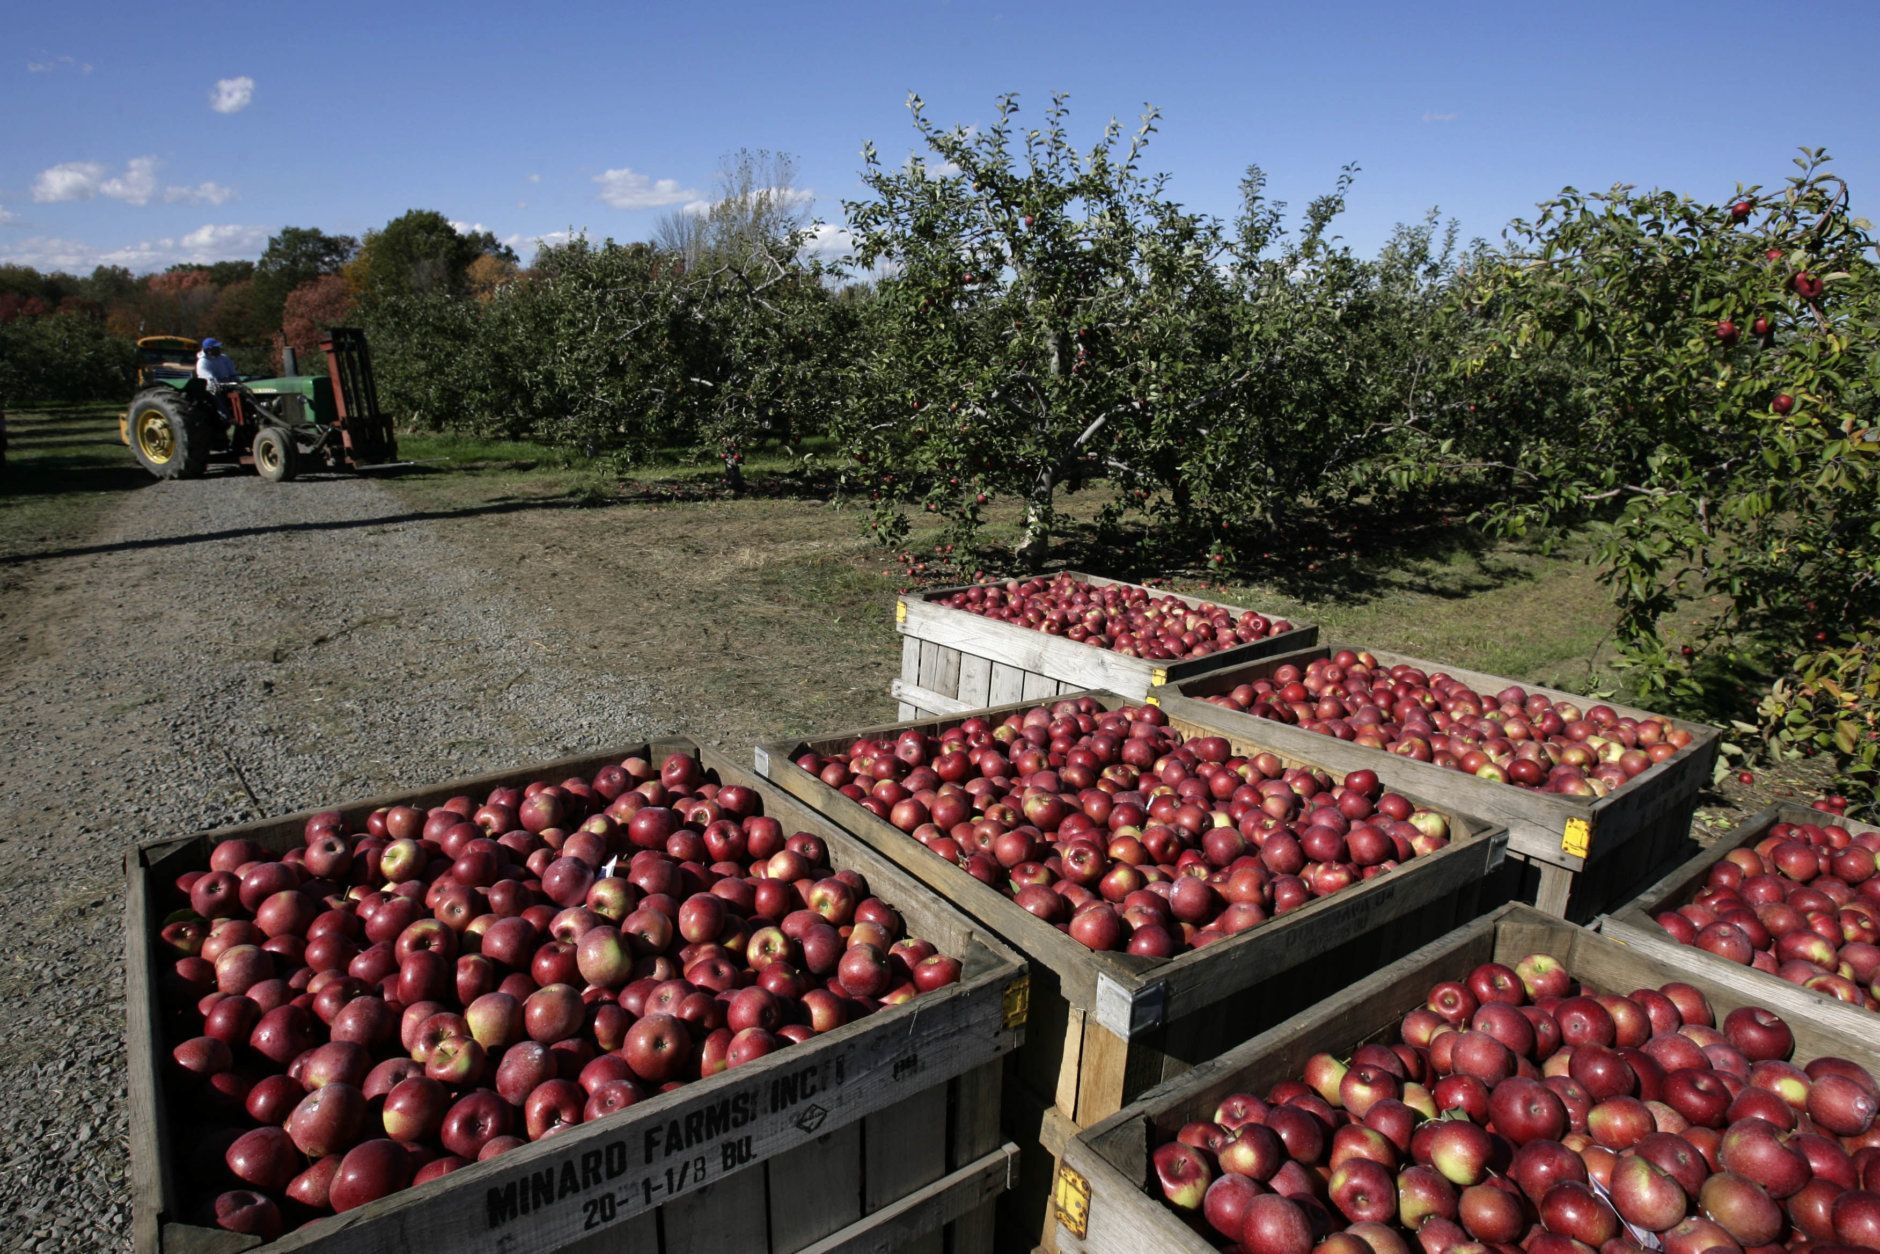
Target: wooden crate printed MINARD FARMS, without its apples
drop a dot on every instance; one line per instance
(881, 1135)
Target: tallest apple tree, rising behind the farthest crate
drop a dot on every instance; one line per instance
(1035, 307)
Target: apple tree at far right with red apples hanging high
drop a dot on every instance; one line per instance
(1719, 426)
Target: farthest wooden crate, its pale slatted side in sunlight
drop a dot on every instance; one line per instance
(954, 661)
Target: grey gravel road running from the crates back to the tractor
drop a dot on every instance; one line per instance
(213, 653)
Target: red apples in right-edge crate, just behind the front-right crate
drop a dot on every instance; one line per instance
(1802, 903)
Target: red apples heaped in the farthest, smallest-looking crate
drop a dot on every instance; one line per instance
(1133, 621)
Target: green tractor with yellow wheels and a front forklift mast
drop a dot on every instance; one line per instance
(279, 426)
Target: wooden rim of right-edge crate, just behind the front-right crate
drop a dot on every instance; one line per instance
(1635, 924)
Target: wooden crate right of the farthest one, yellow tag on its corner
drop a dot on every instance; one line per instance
(1571, 856)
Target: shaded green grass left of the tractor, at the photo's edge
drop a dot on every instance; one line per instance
(65, 469)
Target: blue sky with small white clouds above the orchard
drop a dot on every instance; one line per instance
(142, 136)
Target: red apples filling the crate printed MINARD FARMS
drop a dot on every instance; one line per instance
(386, 1005)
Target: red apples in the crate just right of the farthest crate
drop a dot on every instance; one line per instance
(1512, 738)
